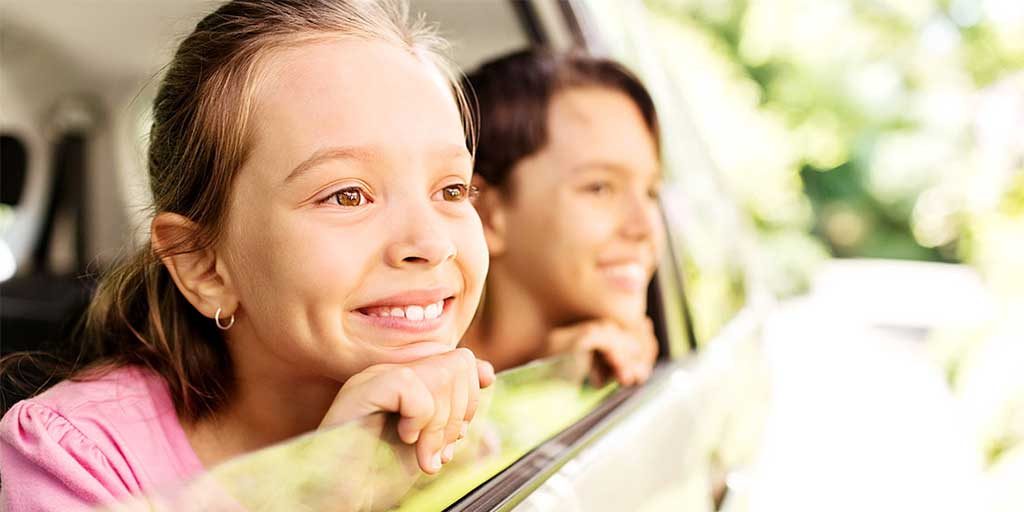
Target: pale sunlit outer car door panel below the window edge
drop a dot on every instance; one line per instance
(691, 441)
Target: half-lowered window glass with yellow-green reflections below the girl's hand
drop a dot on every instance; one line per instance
(362, 466)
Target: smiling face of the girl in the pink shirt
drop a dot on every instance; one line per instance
(351, 237)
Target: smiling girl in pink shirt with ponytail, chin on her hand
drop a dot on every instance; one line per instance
(314, 259)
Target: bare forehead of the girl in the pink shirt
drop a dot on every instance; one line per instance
(353, 95)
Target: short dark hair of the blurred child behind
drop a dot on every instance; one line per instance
(513, 96)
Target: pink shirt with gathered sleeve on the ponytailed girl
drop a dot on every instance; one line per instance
(84, 444)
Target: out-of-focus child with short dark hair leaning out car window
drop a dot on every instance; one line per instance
(570, 173)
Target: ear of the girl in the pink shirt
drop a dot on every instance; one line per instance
(200, 275)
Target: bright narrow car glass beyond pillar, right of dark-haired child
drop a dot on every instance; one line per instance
(707, 233)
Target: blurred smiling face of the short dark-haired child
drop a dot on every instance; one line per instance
(583, 227)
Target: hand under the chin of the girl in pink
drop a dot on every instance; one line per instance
(436, 397)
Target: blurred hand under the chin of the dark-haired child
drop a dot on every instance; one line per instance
(629, 353)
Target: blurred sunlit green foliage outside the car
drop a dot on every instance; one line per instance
(892, 118)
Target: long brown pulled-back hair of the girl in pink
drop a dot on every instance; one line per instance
(199, 140)
